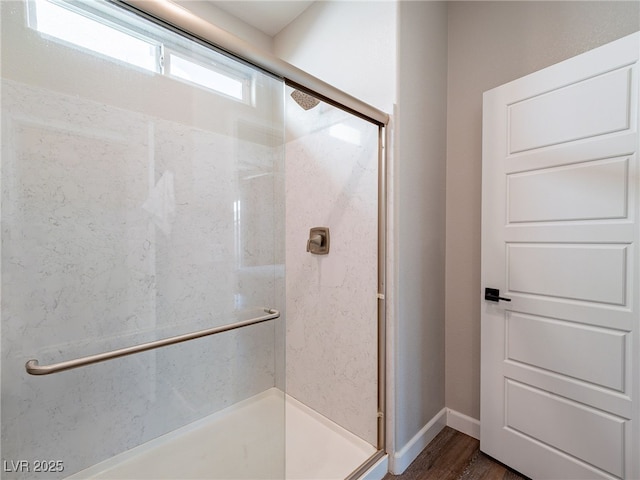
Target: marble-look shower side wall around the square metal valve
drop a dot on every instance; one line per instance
(331, 180)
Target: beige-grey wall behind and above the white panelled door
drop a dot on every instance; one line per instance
(491, 43)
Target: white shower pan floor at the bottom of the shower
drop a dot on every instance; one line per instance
(244, 441)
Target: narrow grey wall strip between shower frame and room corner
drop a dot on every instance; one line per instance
(421, 153)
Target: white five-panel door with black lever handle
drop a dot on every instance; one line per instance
(560, 367)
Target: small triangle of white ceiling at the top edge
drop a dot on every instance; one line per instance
(266, 15)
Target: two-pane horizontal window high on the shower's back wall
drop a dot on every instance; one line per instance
(82, 26)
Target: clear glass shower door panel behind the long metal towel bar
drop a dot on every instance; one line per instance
(142, 198)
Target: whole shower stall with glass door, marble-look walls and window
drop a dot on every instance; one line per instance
(157, 198)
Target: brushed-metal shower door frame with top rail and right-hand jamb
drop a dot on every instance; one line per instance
(176, 18)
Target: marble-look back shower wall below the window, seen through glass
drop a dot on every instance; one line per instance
(117, 229)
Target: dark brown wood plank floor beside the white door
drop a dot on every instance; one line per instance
(455, 456)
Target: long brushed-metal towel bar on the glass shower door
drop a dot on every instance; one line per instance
(34, 368)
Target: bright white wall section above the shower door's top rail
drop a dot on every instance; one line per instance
(349, 44)
